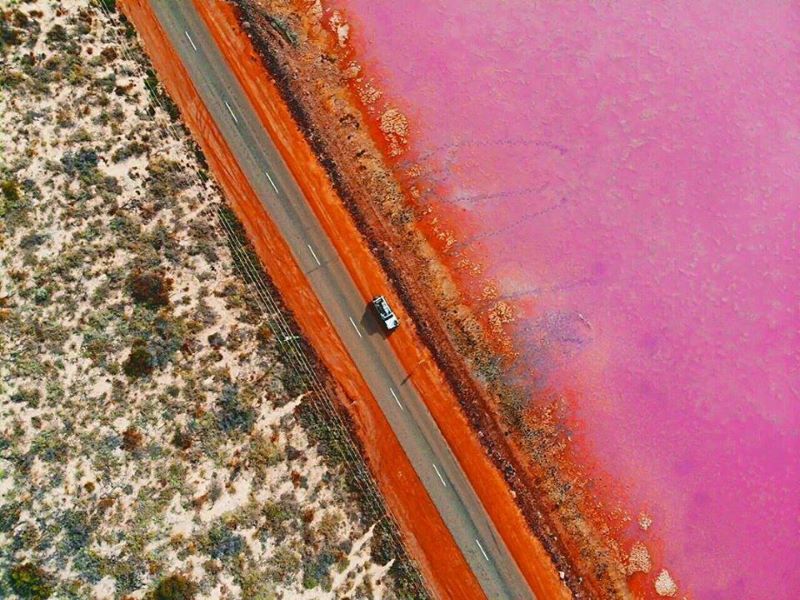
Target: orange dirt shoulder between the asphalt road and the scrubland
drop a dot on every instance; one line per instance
(425, 534)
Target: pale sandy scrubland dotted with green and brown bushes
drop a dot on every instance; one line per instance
(156, 440)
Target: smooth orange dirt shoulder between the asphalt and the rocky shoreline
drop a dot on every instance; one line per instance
(370, 278)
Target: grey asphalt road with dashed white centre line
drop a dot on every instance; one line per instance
(284, 202)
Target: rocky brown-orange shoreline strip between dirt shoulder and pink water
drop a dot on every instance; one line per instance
(543, 476)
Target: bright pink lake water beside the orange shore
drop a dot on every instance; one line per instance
(631, 176)
